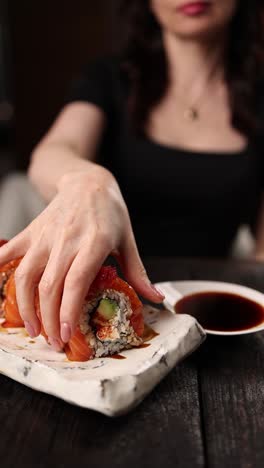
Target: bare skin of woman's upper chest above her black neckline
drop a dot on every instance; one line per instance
(170, 124)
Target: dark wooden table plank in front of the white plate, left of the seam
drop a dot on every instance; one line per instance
(164, 429)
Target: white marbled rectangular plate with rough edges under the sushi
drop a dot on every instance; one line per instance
(107, 385)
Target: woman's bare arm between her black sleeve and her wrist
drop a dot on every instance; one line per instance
(69, 146)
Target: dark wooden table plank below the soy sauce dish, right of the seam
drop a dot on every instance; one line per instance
(232, 393)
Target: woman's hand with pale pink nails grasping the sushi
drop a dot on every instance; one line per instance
(65, 246)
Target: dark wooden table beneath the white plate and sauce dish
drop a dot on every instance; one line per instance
(208, 412)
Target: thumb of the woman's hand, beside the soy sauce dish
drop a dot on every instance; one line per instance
(134, 271)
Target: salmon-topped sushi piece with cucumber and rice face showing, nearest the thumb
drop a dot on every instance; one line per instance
(111, 319)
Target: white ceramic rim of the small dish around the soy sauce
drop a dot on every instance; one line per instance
(175, 290)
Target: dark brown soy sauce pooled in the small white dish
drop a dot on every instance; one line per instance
(222, 311)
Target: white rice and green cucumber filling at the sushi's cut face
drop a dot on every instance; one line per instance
(105, 322)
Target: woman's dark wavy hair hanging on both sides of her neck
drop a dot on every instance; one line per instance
(144, 53)
